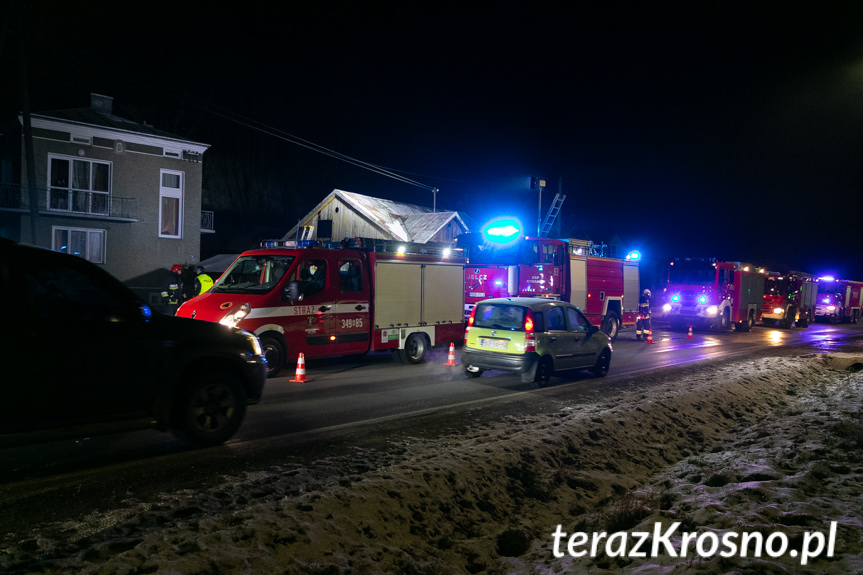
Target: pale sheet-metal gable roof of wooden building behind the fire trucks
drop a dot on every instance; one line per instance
(399, 221)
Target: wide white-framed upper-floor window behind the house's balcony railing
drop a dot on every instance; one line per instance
(79, 186)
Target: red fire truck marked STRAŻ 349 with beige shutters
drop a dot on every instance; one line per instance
(299, 297)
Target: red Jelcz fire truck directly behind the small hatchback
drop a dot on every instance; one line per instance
(606, 289)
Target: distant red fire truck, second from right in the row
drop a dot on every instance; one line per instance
(789, 298)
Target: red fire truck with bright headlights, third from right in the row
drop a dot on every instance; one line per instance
(706, 292)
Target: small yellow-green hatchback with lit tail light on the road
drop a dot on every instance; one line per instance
(534, 337)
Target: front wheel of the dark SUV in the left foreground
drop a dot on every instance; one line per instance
(209, 411)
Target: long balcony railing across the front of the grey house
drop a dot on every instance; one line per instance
(72, 202)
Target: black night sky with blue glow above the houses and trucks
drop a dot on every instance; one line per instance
(712, 129)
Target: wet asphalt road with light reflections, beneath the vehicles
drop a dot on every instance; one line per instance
(347, 405)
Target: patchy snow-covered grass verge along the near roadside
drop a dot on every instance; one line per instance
(757, 445)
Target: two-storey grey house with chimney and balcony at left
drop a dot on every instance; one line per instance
(122, 194)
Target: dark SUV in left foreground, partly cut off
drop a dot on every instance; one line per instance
(81, 354)
